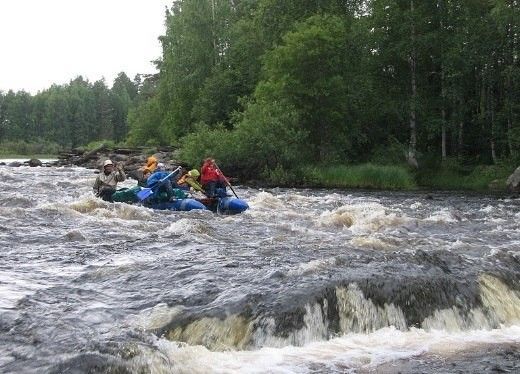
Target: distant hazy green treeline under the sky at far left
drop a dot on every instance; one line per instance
(70, 115)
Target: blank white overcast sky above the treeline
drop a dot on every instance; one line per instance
(53, 41)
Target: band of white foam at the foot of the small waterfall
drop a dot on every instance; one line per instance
(348, 353)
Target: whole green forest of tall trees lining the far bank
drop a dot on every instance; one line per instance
(277, 89)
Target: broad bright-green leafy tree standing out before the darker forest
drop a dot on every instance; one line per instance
(308, 71)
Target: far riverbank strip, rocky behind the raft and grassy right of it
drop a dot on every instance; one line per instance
(449, 176)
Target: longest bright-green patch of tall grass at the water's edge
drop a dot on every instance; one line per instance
(360, 176)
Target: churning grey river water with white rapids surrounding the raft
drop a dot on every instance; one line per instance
(303, 282)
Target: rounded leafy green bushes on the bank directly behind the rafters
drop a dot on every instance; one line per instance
(266, 135)
